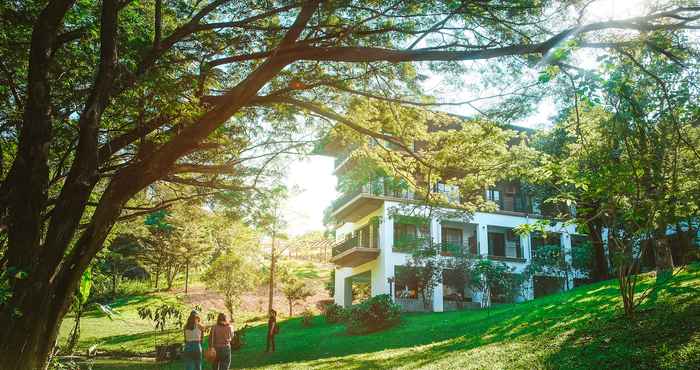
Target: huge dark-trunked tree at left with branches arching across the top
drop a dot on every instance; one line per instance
(102, 99)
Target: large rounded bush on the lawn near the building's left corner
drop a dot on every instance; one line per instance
(374, 314)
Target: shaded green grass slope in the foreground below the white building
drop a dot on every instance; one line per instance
(581, 328)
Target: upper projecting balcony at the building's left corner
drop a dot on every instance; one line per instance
(353, 205)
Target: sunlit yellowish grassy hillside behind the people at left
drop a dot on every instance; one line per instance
(126, 333)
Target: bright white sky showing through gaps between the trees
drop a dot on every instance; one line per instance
(312, 178)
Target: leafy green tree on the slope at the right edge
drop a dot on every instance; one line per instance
(626, 154)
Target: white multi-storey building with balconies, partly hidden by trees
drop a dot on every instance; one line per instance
(371, 231)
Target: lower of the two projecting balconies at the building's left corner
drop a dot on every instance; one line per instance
(361, 248)
